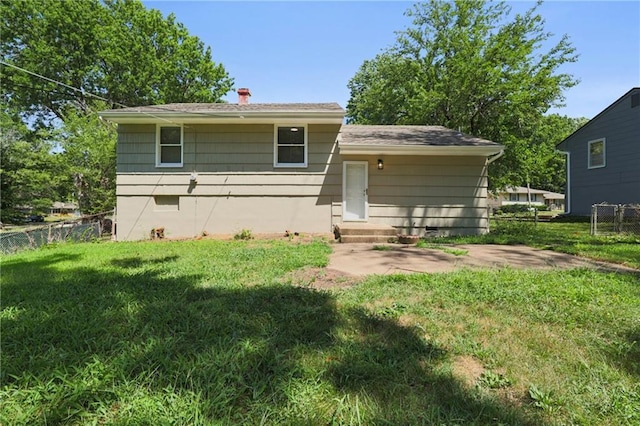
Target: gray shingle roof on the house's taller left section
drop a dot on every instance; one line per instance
(203, 108)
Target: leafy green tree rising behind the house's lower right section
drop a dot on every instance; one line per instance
(468, 65)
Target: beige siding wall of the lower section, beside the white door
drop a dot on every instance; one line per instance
(444, 192)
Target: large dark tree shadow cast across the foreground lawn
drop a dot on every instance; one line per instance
(80, 342)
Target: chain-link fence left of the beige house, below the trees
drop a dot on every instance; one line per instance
(11, 242)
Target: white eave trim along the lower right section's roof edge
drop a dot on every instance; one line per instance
(373, 149)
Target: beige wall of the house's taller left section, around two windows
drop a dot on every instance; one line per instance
(237, 186)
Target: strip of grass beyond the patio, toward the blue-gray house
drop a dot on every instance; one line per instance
(566, 237)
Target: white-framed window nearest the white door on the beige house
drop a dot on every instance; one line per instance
(290, 146)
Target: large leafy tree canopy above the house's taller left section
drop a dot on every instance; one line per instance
(116, 49)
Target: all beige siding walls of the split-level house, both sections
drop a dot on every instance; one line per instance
(239, 188)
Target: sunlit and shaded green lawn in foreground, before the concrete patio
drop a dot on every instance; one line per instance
(214, 332)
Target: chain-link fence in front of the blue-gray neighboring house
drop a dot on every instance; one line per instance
(615, 219)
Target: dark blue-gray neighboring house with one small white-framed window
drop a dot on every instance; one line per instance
(603, 157)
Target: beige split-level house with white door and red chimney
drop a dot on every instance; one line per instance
(221, 168)
